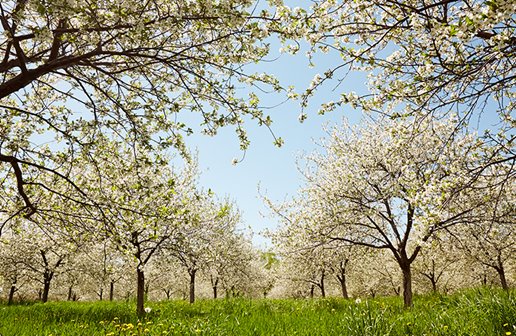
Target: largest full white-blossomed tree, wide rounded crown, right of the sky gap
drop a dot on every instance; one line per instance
(389, 185)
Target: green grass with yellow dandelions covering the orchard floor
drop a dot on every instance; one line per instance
(474, 312)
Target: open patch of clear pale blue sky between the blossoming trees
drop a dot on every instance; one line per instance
(274, 169)
